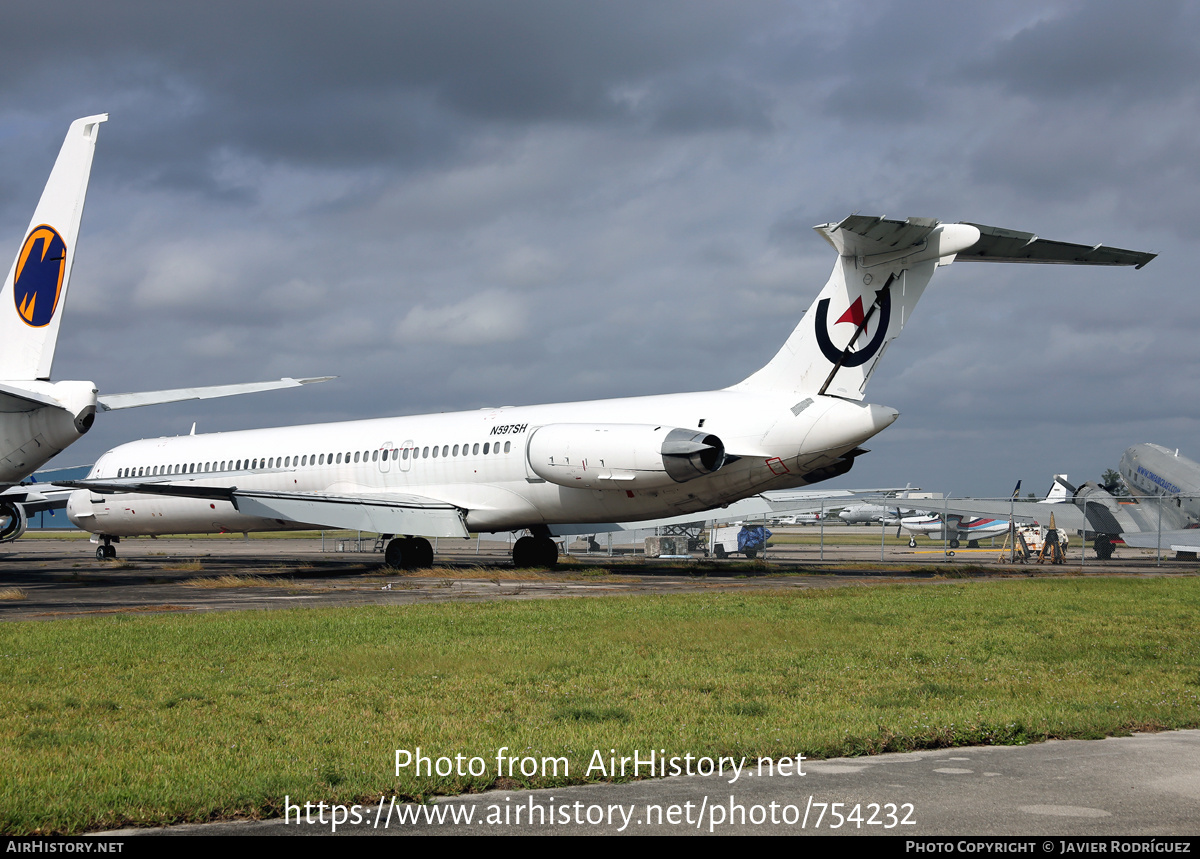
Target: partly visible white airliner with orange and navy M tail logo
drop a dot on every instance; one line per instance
(39, 418)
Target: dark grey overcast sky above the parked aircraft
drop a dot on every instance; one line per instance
(464, 205)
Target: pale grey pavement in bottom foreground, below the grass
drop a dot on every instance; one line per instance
(1148, 785)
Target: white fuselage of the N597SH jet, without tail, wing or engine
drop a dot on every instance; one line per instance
(770, 446)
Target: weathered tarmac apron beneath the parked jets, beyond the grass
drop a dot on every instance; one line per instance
(53, 579)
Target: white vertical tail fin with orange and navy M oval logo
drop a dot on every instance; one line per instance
(33, 296)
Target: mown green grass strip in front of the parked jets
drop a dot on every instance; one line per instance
(149, 720)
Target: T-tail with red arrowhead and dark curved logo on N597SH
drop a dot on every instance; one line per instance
(883, 269)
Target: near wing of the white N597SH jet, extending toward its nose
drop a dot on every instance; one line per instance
(382, 514)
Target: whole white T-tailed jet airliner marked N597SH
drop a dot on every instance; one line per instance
(797, 422)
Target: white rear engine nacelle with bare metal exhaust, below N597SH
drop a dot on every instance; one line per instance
(622, 456)
